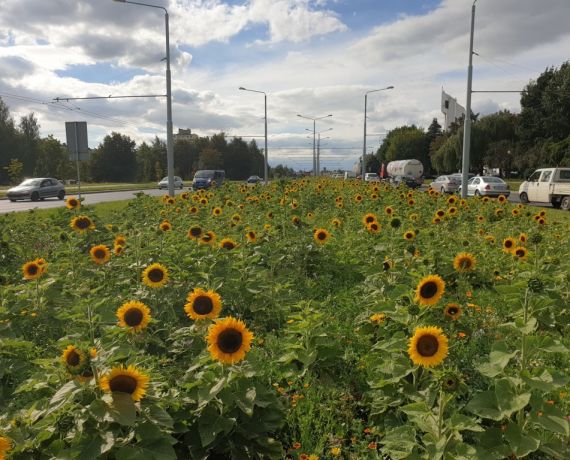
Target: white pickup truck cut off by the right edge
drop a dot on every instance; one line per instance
(547, 185)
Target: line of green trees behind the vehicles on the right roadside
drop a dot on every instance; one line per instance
(538, 136)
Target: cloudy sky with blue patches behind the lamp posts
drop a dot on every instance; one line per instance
(311, 57)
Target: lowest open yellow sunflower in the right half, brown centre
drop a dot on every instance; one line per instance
(428, 347)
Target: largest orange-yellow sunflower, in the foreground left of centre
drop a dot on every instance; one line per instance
(229, 340)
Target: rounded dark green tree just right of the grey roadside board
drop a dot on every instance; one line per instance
(114, 160)
